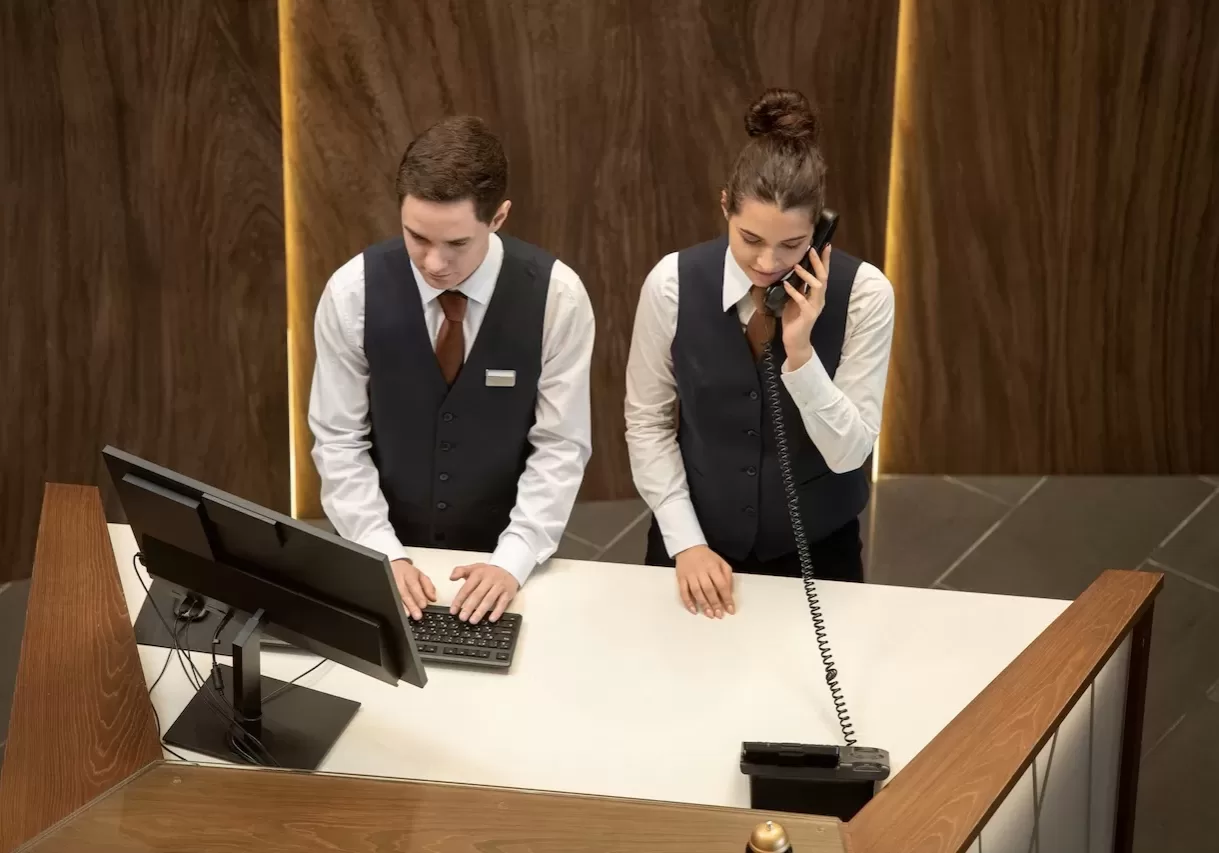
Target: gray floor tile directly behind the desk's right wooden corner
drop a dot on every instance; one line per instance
(1072, 529)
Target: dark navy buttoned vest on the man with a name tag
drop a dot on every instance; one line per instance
(450, 458)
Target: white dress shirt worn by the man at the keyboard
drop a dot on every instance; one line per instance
(338, 414)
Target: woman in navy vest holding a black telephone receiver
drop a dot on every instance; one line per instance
(699, 425)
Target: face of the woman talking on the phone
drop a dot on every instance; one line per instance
(766, 242)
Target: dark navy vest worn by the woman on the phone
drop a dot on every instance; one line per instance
(725, 427)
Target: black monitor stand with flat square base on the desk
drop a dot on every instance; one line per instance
(242, 716)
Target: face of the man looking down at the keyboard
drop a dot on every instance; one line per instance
(446, 239)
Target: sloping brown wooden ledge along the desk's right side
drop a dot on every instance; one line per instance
(943, 799)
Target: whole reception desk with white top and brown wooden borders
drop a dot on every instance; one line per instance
(1010, 722)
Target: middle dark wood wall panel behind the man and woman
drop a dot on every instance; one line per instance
(621, 121)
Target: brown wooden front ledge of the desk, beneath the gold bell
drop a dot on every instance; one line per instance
(219, 810)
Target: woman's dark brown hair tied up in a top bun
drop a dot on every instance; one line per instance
(781, 164)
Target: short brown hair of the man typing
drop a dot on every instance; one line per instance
(457, 159)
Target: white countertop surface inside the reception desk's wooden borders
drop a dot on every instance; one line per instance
(616, 690)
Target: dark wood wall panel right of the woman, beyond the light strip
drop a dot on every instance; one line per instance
(1055, 238)
